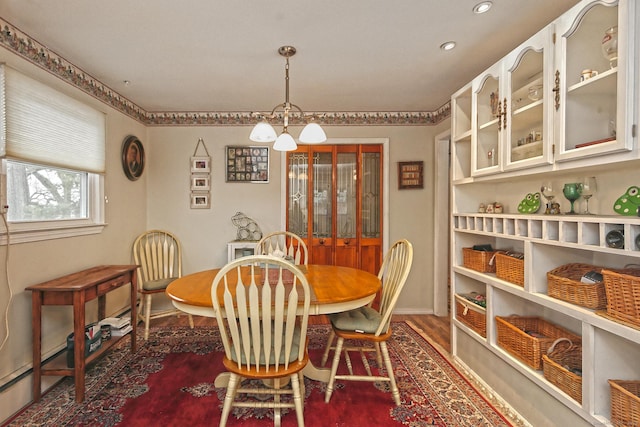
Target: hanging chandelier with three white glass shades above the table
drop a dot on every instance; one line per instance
(312, 133)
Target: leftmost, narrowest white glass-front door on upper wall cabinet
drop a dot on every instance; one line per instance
(489, 124)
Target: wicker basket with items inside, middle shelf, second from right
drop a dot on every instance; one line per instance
(564, 283)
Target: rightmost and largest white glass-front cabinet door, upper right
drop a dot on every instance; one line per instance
(595, 79)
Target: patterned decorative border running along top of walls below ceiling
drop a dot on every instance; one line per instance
(39, 55)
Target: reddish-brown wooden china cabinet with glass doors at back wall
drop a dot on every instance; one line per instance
(334, 202)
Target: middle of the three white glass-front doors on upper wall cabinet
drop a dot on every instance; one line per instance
(528, 114)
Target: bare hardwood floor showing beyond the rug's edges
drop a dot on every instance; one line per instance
(437, 328)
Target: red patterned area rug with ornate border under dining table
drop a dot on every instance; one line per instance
(169, 382)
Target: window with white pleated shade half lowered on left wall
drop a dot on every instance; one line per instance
(53, 156)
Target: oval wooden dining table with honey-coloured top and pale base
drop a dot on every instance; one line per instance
(333, 289)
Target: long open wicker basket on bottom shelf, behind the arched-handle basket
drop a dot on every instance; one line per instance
(513, 338)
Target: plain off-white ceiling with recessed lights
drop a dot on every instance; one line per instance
(212, 55)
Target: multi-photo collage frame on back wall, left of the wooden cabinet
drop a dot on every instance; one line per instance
(247, 164)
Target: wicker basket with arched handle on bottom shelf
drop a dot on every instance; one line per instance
(563, 358)
